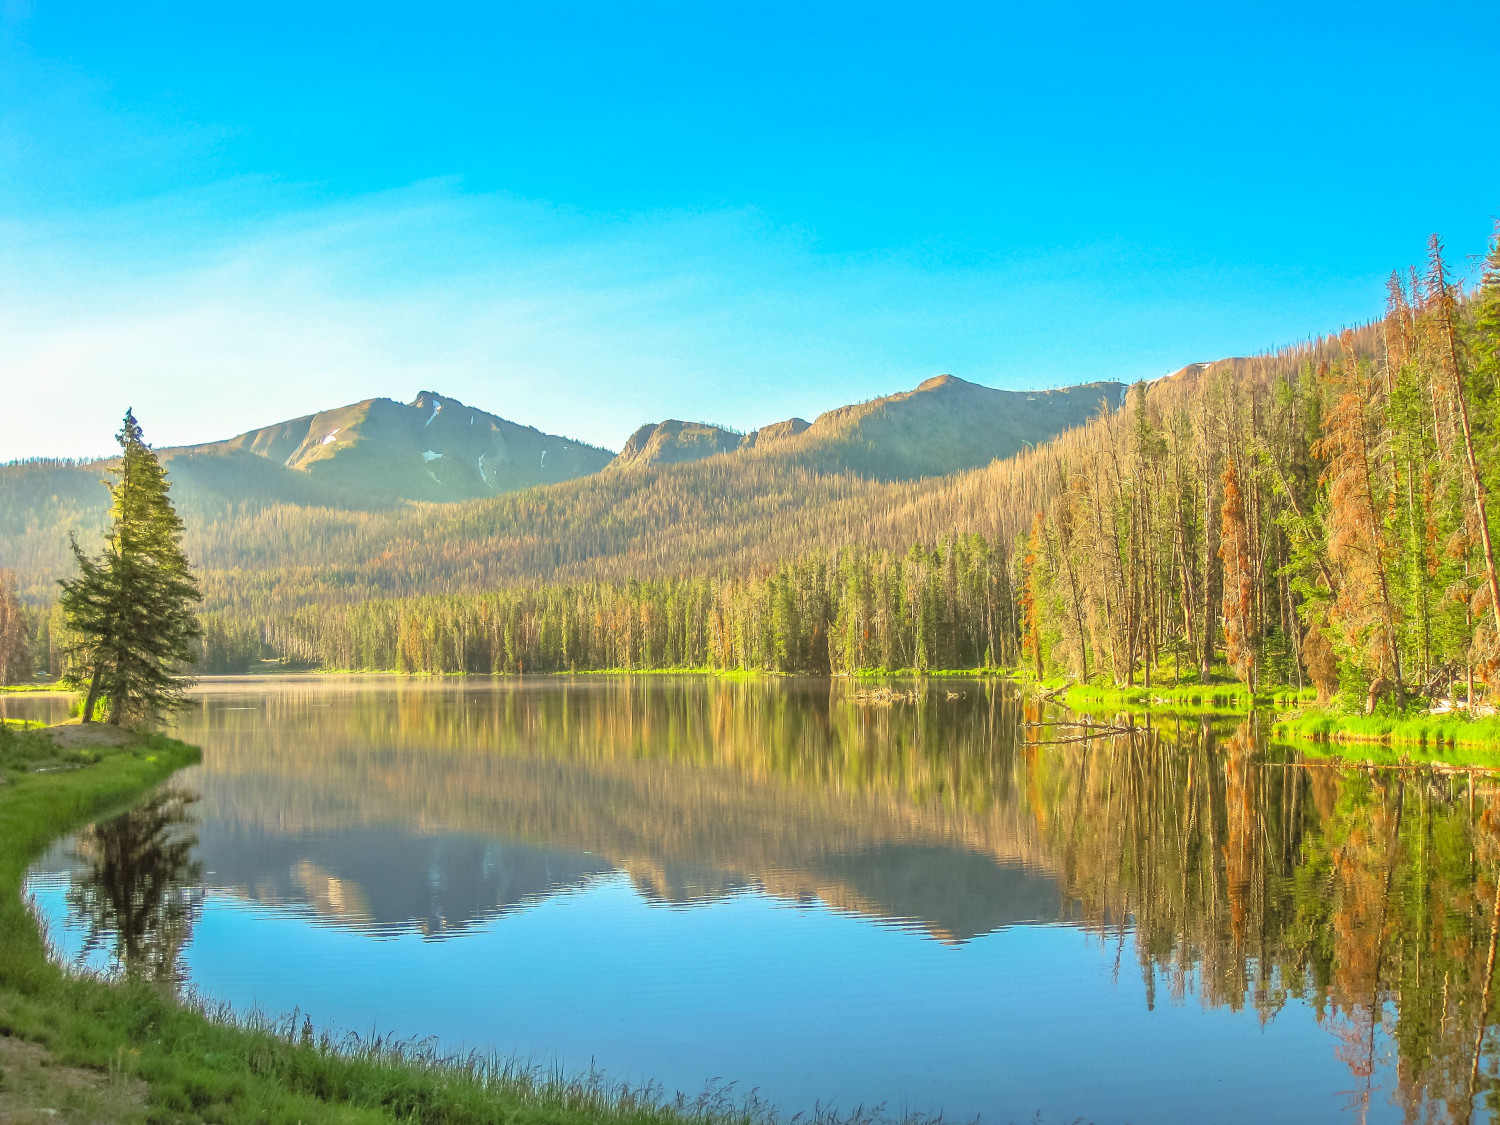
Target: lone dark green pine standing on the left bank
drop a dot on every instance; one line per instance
(131, 610)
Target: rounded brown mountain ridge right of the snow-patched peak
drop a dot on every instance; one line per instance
(943, 427)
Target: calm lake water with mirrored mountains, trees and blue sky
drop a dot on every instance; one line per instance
(916, 907)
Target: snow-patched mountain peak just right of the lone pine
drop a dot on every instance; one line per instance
(380, 451)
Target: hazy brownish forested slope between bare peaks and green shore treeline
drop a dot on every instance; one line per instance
(259, 562)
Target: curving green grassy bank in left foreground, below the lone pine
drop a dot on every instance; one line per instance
(202, 1066)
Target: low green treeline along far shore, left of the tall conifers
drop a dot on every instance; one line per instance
(926, 608)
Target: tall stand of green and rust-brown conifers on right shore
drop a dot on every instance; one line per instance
(1333, 524)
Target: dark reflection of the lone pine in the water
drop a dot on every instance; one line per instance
(137, 889)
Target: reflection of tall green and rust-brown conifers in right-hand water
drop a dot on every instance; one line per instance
(1255, 878)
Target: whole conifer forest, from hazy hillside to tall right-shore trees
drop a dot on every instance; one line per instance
(1322, 515)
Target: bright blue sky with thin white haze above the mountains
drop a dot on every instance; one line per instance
(592, 217)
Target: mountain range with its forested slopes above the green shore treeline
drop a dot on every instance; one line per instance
(323, 508)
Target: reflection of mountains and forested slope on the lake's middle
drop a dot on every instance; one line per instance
(439, 809)
